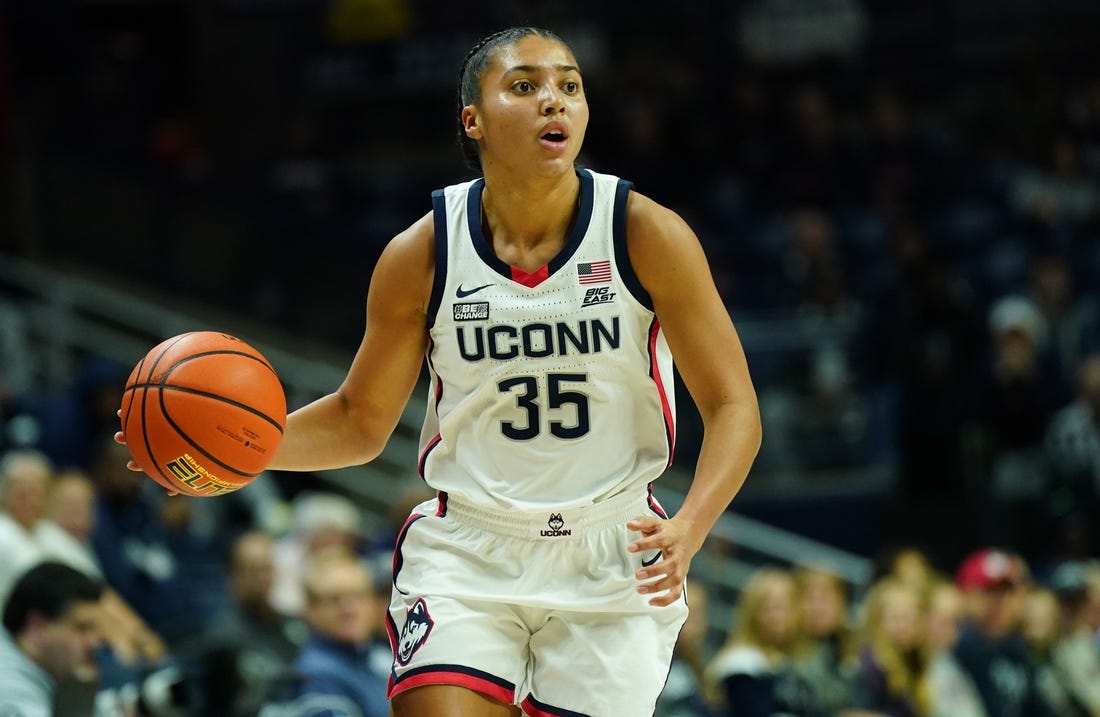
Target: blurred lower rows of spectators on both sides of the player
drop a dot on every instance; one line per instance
(283, 608)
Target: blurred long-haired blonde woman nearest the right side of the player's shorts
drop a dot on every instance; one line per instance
(754, 670)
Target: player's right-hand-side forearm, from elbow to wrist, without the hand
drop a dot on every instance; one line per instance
(731, 443)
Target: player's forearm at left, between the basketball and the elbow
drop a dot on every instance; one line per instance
(326, 435)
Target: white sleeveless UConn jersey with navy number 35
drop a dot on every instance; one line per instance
(548, 390)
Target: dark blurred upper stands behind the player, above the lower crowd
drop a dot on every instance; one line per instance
(899, 202)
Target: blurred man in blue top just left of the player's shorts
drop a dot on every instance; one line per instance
(345, 616)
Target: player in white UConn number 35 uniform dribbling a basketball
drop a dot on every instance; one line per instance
(548, 302)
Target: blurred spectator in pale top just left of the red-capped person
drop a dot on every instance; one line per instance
(951, 689)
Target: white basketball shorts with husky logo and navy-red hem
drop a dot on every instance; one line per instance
(534, 610)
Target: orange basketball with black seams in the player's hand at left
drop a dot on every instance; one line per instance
(203, 414)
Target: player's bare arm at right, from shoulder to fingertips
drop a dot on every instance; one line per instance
(670, 263)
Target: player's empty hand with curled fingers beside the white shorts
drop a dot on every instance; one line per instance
(665, 579)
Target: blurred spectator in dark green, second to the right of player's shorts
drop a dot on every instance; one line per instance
(829, 664)
